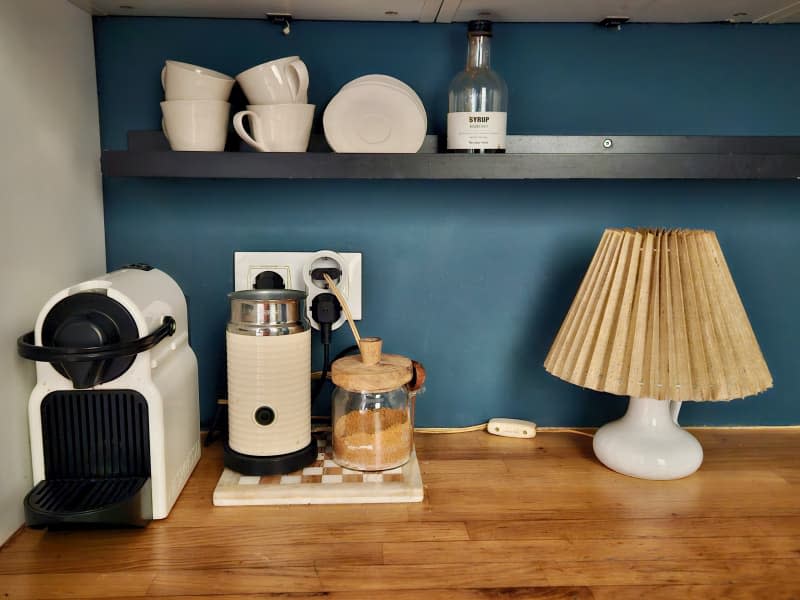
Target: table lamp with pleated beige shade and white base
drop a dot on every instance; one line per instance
(657, 318)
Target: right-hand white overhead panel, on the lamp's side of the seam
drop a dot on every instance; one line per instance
(593, 11)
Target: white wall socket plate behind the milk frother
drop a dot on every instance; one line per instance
(295, 268)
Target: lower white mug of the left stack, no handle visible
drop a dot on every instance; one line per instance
(196, 124)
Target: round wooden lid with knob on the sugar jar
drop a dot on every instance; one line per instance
(372, 371)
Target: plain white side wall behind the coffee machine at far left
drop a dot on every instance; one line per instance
(51, 208)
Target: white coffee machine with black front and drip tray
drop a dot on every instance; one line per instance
(114, 416)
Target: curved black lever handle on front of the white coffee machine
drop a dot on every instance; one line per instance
(28, 349)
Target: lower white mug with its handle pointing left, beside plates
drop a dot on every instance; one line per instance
(276, 127)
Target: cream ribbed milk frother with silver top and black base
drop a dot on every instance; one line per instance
(268, 343)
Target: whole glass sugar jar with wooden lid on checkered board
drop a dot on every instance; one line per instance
(373, 408)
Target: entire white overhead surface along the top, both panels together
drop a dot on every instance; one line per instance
(447, 11)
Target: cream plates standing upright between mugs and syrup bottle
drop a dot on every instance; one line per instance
(375, 113)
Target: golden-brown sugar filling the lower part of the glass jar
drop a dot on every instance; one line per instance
(372, 439)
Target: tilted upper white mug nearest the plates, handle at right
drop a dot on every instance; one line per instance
(281, 81)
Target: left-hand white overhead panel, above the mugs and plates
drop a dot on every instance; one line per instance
(325, 10)
